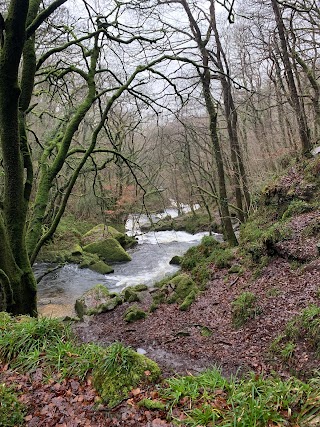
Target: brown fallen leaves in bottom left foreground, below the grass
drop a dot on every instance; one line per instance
(71, 403)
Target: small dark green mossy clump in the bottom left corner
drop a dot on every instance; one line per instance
(11, 411)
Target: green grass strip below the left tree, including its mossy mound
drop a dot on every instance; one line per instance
(27, 343)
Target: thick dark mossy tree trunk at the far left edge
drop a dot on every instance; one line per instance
(15, 269)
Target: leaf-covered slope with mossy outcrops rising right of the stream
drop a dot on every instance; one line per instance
(277, 261)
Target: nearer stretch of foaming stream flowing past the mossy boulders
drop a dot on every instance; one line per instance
(58, 290)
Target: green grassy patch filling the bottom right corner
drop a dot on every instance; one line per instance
(210, 399)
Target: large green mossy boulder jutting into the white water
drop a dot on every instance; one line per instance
(108, 249)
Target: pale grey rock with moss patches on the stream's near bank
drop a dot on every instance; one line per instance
(95, 301)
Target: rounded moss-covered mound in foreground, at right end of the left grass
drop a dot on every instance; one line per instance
(121, 371)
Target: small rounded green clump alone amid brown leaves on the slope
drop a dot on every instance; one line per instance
(244, 308)
